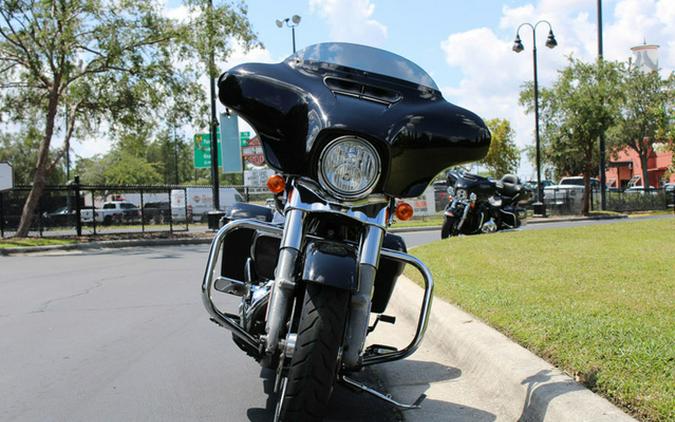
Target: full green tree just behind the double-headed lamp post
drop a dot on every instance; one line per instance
(580, 106)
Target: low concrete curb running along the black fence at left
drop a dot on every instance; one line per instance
(107, 244)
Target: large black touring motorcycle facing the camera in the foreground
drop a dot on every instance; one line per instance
(351, 130)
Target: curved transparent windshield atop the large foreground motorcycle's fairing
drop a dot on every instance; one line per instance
(368, 59)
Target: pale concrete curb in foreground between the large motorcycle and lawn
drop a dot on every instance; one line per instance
(495, 378)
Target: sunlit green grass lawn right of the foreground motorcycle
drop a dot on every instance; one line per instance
(596, 301)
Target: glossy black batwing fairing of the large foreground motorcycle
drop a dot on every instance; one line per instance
(417, 132)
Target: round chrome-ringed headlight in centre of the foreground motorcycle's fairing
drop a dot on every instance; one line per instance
(349, 167)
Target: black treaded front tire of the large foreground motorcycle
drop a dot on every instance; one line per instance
(312, 373)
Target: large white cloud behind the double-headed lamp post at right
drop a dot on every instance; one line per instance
(493, 74)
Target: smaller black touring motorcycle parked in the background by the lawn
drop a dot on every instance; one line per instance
(481, 205)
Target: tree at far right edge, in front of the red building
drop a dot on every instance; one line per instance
(646, 114)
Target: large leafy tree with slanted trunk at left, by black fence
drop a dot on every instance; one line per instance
(108, 62)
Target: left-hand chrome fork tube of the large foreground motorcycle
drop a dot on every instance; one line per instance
(284, 278)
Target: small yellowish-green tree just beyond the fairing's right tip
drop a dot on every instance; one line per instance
(503, 156)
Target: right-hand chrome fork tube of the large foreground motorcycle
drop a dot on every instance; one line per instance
(369, 256)
